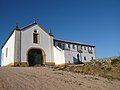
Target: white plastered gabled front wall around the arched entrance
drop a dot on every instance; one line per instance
(27, 42)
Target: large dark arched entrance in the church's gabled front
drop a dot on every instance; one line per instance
(36, 57)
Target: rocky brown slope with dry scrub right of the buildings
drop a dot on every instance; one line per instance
(107, 67)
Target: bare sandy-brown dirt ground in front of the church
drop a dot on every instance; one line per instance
(44, 78)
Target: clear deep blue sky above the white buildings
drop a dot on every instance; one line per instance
(95, 22)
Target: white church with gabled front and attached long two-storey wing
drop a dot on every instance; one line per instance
(32, 45)
